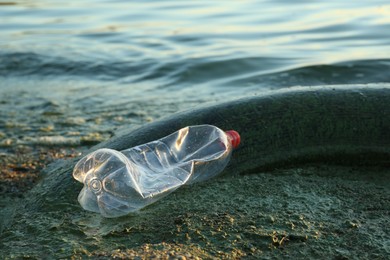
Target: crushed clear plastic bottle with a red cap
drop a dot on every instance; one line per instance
(117, 183)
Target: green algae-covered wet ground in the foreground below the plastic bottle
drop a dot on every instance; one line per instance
(312, 211)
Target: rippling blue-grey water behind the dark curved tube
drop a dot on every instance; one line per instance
(82, 69)
